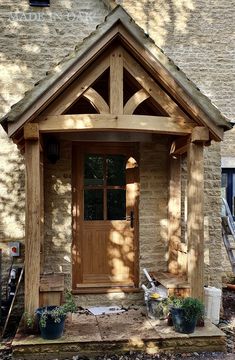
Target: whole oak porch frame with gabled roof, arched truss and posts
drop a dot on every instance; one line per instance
(118, 45)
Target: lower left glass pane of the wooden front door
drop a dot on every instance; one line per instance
(93, 205)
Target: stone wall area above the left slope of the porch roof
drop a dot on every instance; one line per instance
(34, 39)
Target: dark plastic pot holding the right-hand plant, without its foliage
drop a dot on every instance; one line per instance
(182, 325)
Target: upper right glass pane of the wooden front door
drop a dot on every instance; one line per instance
(116, 165)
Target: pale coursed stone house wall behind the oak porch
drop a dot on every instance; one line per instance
(197, 35)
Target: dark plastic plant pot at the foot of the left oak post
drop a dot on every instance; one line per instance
(52, 330)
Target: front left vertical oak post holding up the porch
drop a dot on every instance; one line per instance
(33, 220)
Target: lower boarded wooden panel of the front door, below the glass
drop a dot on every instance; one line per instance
(108, 253)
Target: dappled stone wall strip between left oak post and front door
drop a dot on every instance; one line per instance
(57, 208)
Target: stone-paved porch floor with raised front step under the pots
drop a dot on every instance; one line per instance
(89, 335)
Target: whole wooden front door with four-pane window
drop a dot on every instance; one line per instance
(105, 198)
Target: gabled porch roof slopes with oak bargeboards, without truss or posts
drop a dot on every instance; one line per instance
(118, 24)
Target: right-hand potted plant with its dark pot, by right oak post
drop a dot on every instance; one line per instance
(185, 313)
